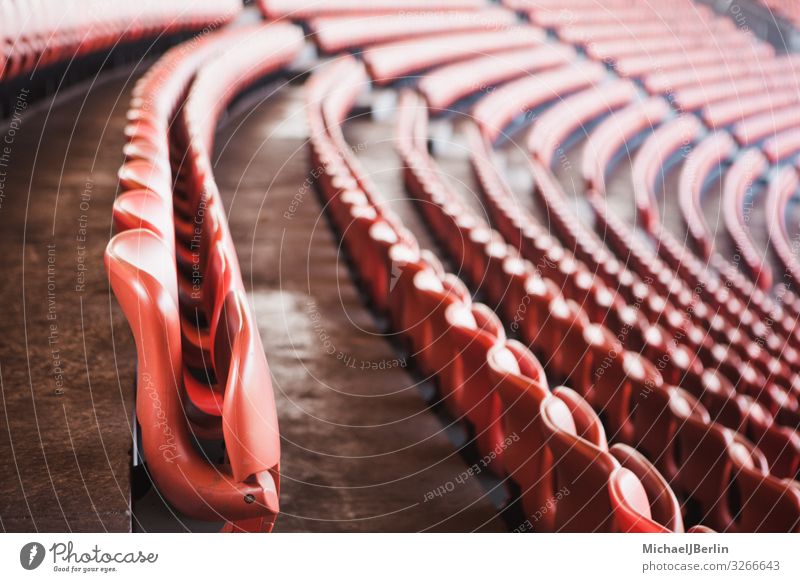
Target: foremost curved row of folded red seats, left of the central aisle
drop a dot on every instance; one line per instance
(202, 373)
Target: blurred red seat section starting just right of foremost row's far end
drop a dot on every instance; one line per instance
(334, 34)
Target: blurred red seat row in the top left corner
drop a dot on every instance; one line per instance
(38, 33)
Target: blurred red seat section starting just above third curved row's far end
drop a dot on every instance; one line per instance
(445, 86)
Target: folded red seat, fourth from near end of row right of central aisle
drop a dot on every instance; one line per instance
(471, 331)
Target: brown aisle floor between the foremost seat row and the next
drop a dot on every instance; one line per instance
(389, 456)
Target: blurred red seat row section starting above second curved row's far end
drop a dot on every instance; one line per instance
(391, 62)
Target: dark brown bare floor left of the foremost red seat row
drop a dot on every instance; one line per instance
(66, 373)
